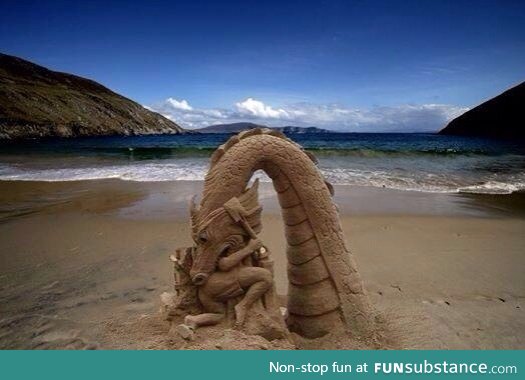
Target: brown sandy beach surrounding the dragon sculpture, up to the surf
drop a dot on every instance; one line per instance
(84, 263)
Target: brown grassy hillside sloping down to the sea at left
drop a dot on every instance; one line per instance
(37, 102)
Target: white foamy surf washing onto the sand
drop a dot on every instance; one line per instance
(162, 171)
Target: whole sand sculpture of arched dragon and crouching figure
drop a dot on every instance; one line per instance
(227, 276)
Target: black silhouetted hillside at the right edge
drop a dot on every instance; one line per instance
(499, 117)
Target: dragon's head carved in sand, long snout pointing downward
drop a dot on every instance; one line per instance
(219, 232)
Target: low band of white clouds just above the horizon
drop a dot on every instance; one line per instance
(402, 118)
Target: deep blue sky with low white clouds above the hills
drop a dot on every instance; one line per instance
(348, 65)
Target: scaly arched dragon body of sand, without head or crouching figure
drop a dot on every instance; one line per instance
(325, 290)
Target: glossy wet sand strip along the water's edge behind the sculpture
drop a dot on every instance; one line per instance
(169, 199)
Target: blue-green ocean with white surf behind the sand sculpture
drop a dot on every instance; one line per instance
(412, 162)
